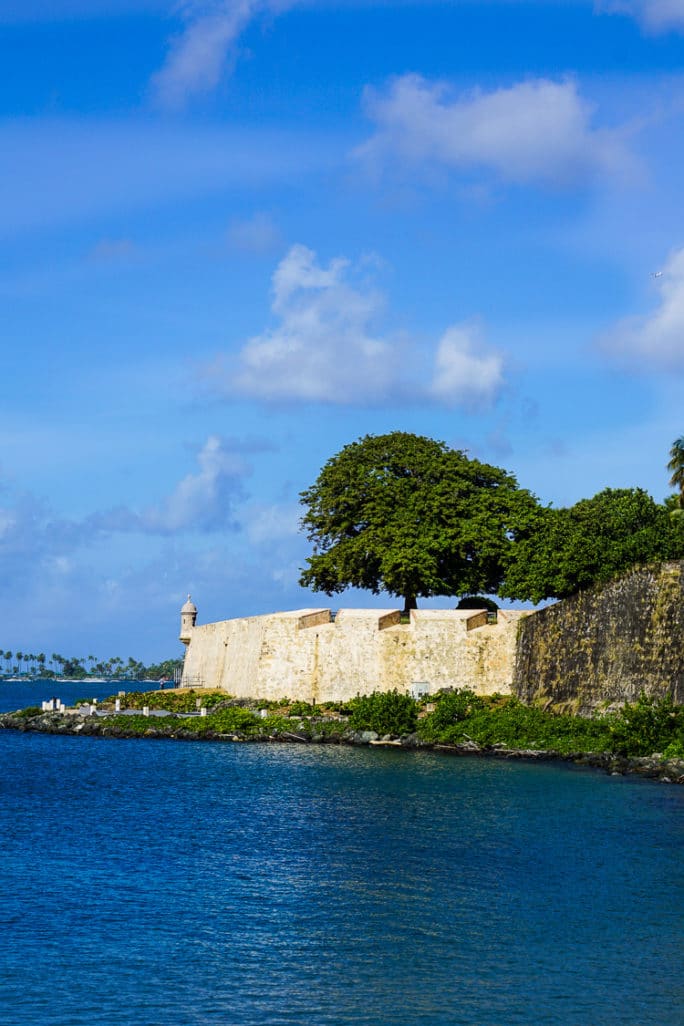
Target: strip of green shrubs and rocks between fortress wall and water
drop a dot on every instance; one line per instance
(645, 738)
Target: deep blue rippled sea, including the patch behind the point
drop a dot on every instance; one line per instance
(157, 883)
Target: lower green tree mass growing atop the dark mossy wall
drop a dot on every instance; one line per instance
(593, 541)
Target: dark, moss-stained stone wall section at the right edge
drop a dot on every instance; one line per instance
(607, 645)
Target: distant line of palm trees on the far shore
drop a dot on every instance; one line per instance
(28, 664)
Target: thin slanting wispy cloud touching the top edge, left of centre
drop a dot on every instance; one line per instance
(205, 52)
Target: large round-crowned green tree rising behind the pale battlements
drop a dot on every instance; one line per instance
(411, 517)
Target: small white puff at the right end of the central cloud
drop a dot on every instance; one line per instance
(463, 375)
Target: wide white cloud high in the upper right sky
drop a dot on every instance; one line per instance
(535, 132)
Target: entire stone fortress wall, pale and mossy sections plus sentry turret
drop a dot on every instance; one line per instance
(597, 650)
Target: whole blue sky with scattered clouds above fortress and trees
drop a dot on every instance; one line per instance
(236, 235)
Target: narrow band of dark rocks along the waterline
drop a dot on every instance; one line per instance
(174, 729)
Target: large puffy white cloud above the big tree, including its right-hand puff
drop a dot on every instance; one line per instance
(326, 348)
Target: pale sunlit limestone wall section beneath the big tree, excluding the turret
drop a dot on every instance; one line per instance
(307, 655)
